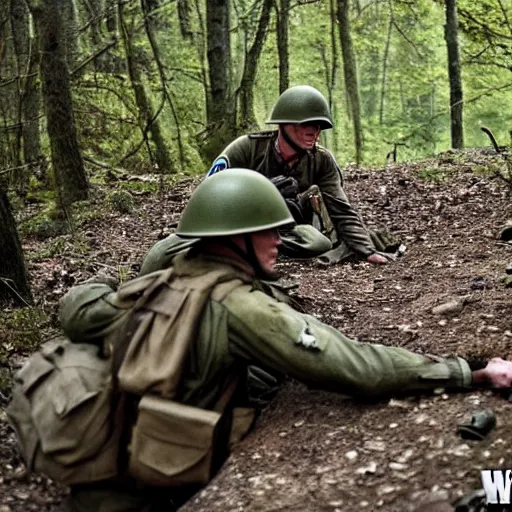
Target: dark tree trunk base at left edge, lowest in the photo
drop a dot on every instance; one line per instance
(14, 287)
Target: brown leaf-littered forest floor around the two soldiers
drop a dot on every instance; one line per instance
(320, 451)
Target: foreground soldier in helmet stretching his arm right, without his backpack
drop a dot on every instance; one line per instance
(236, 216)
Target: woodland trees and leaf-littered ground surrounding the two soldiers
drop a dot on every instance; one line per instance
(106, 105)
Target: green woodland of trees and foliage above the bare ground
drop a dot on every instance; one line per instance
(92, 89)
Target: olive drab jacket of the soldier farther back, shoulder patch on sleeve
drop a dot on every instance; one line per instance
(316, 167)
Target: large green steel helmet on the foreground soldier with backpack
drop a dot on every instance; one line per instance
(233, 202)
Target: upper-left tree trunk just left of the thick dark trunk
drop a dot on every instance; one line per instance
(29, 99)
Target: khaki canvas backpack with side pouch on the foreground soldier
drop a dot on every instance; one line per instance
(69, 410)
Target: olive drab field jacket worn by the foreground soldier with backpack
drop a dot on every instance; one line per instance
(249, 327)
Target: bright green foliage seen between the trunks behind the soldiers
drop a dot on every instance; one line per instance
(404, 98)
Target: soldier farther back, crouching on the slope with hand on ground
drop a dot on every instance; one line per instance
(309, 179)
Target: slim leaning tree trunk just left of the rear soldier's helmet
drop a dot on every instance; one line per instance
(247, 116)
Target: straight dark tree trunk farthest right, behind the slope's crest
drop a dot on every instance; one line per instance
(454, 73)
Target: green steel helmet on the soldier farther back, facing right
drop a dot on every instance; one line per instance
(301, 104)
